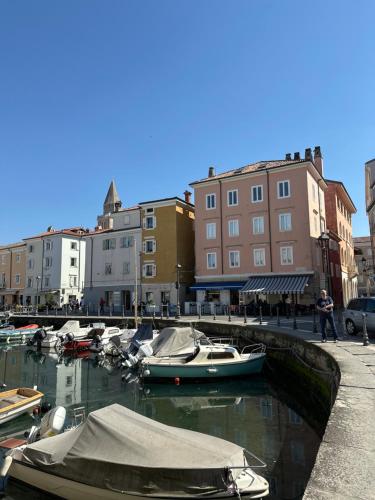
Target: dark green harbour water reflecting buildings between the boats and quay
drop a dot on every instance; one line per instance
(253, 412)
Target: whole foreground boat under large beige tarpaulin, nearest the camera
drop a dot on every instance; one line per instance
(134, 457)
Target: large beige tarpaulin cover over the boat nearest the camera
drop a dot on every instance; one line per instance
(120, 450)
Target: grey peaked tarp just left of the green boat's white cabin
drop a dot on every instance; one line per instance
(176, 341)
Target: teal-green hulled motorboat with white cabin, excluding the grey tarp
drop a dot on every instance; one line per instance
(208, 361)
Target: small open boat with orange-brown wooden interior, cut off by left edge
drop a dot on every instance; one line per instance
(16, 402)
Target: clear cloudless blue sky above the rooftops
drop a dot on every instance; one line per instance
(151, 93)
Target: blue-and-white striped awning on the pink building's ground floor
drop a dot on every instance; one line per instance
(292, 283)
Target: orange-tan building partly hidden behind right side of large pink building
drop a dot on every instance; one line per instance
(339, 211)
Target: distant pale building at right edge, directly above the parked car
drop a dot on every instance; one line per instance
(365, 262)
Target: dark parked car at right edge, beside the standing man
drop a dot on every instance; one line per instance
(353, 315)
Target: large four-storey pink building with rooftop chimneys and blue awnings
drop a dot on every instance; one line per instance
(257, 230)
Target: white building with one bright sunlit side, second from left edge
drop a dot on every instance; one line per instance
(55, 266)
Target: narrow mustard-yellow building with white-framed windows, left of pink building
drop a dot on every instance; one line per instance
(167, 254)
